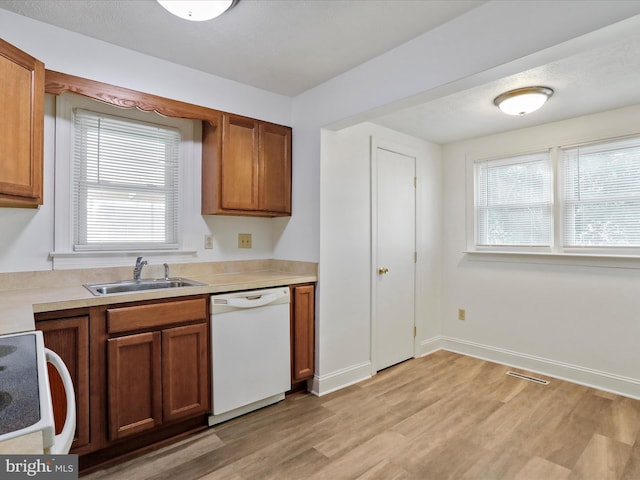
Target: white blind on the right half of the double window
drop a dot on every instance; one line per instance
(601, 194)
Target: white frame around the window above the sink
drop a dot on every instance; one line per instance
(64, 254)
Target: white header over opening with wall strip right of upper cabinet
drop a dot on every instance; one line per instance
(453, 56)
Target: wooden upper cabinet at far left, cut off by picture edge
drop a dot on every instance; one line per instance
(21, 128)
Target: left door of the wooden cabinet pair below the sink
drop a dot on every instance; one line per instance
(134, 376)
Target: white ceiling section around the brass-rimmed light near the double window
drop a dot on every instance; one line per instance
(603, 77)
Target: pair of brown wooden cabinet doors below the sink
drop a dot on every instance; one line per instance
(169, 381)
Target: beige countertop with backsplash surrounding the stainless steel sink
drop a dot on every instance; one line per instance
(35, 292)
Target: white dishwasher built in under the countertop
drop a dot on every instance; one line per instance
(250, 351)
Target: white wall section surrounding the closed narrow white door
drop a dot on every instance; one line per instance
(344, 353)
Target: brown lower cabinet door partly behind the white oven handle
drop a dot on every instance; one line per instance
(69, 338)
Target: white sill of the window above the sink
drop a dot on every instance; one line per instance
(96, 259)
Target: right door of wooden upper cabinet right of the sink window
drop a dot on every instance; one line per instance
(275, 168)
